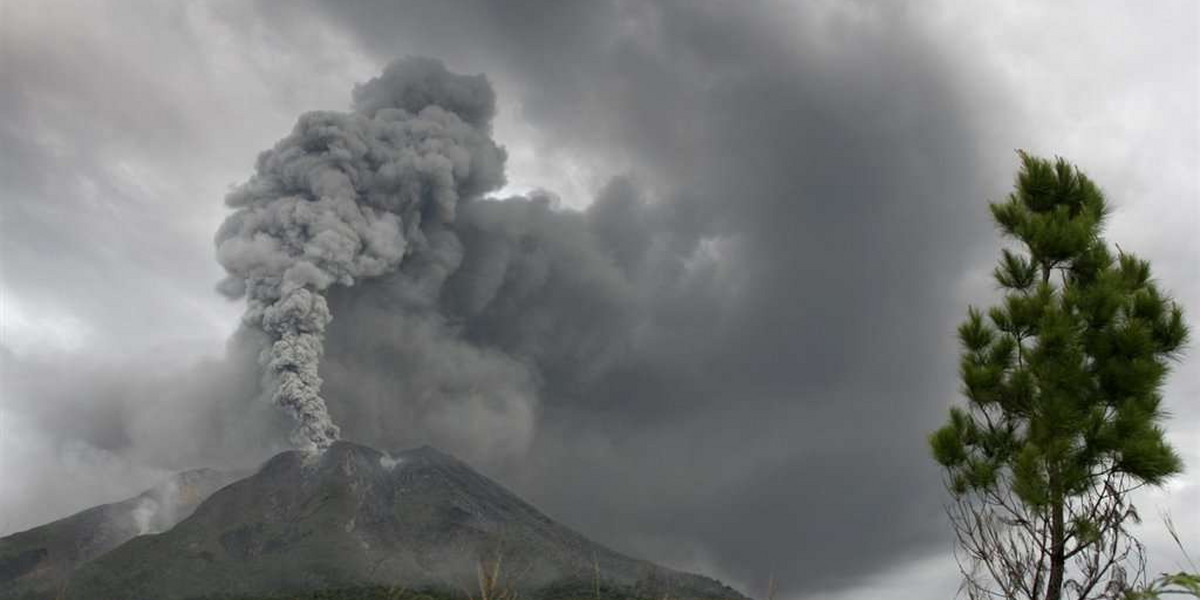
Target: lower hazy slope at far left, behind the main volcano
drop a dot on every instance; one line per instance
(37, 562)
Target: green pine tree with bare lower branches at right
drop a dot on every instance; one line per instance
(1064, 413)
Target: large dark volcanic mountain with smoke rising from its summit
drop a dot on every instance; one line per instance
(353, 518)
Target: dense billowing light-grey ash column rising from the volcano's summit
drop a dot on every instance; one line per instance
(350, 197)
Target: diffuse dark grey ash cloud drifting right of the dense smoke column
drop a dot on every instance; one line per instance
(737, 351)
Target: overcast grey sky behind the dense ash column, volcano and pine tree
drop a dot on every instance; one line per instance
(728, 337)
